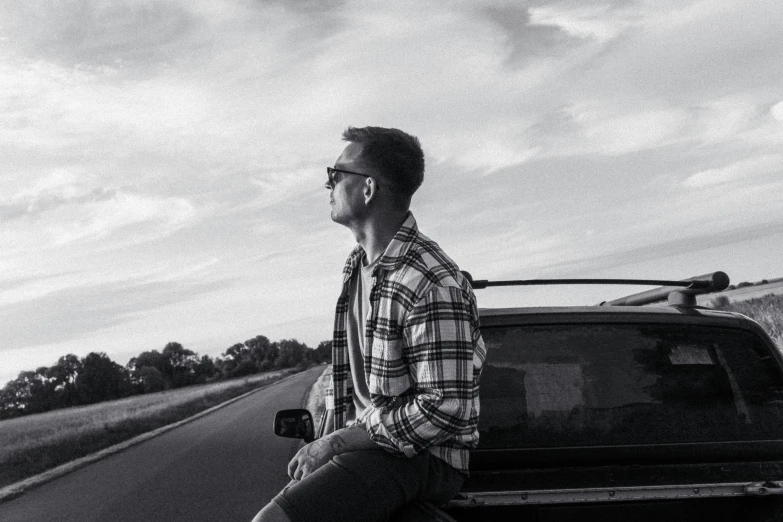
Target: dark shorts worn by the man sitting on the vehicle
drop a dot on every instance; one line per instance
(369, 485)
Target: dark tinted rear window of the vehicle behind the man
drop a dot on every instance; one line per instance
(592, 385)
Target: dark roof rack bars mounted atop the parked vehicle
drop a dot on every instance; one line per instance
(677, 293)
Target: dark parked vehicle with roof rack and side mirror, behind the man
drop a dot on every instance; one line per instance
(624, 411)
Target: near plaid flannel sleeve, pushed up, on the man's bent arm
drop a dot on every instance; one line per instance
(438, 335)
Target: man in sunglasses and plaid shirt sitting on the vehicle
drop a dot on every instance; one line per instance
(407, 353)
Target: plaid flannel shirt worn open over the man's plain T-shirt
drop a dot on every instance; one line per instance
(423, 352)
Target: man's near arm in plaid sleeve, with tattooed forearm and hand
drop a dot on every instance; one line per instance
(439, 335)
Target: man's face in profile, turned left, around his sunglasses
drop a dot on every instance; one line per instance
(347, 191)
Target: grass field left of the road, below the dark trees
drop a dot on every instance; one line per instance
(35, 443)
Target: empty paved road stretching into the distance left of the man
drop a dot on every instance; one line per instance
(224, 466)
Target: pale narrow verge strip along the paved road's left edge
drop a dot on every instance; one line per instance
(19, 488)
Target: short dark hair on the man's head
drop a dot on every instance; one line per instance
(396, 155)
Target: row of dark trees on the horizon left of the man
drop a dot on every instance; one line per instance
(74, 381)
